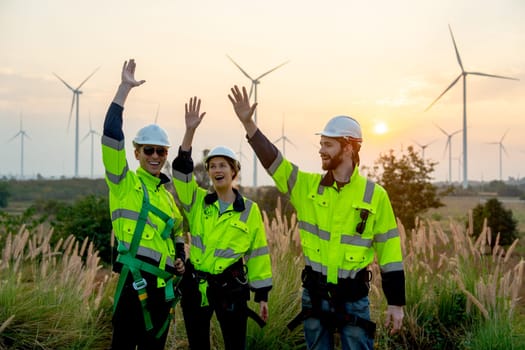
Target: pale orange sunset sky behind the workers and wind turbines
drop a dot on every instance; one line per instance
(382, 62)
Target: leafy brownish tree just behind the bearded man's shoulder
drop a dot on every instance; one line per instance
(407, 181)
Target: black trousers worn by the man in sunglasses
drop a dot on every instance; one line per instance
(129, 330)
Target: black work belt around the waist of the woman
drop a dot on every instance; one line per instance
(231, 284)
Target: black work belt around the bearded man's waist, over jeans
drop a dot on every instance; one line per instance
(346, 290)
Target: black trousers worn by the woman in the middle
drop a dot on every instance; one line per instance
(230, 310)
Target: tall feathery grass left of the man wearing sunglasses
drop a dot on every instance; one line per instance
(50, 297)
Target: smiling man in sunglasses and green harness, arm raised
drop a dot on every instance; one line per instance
(148, 228)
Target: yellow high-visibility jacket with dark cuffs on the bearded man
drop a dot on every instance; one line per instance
(328, 219)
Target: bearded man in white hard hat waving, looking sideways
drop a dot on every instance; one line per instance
(345, 222)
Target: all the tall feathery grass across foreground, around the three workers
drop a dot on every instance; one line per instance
(461, 293)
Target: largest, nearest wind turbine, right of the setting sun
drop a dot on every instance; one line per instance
(464, 75)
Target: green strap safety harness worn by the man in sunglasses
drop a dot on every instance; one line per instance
(133, 265)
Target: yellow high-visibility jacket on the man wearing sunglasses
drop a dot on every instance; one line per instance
(126, 198)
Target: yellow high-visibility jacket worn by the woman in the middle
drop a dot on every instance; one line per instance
(219, 240)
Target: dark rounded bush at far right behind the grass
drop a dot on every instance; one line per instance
(499, 219)
